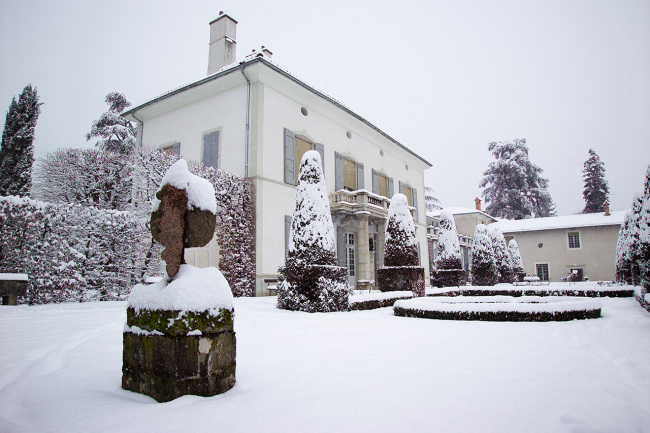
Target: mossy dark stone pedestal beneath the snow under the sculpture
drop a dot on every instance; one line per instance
(168, 354)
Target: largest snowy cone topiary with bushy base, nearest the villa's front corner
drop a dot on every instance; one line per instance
(310, 279)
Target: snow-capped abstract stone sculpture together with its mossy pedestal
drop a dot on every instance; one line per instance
(179, 336)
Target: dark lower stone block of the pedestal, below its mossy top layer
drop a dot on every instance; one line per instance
(166, 367)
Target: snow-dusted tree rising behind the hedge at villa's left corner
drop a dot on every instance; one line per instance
(114, 133)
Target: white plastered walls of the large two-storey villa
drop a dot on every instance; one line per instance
(278, 103)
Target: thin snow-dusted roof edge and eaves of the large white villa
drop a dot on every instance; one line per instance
(258, 58)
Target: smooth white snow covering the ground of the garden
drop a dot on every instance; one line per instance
(365, 371)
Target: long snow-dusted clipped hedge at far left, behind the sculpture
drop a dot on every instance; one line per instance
(70, 252)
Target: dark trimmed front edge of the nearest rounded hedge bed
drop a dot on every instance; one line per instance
(498, 316)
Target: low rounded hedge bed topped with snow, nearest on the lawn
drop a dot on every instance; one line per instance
(500, 308)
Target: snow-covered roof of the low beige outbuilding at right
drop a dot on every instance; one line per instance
(561, 222)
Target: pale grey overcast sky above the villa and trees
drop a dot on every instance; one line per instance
(444, 78)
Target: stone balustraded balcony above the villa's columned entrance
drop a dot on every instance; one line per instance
(360, 202)
